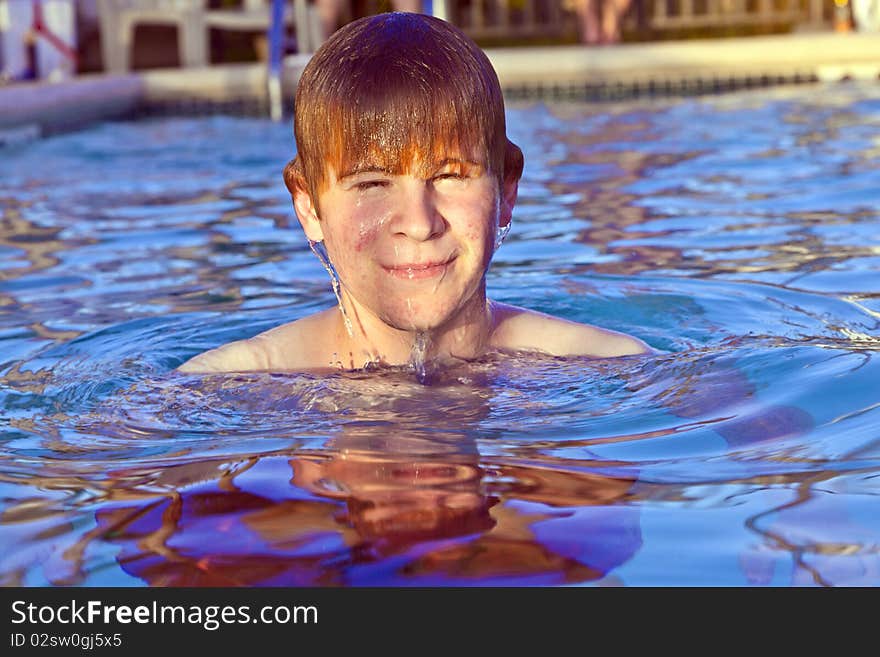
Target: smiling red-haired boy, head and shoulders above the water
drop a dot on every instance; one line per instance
(405, 181)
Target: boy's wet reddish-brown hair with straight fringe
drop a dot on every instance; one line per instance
(402, 92)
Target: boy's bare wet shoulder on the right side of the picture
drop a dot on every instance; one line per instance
(521, 329)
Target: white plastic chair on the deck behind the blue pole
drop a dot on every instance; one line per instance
(193, 19)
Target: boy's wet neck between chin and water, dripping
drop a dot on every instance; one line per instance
(465, 337)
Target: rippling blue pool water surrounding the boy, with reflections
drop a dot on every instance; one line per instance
(739, 235)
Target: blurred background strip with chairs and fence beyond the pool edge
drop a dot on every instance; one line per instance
(52, 39)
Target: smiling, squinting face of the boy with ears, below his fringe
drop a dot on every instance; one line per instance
(411, 249)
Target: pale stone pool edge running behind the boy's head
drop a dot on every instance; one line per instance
(669, 67)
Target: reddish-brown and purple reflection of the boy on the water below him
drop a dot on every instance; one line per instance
(367, 510)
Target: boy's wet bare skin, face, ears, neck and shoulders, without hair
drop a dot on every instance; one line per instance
(411, 250)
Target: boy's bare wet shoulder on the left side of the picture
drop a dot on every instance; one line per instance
(292, 346)
